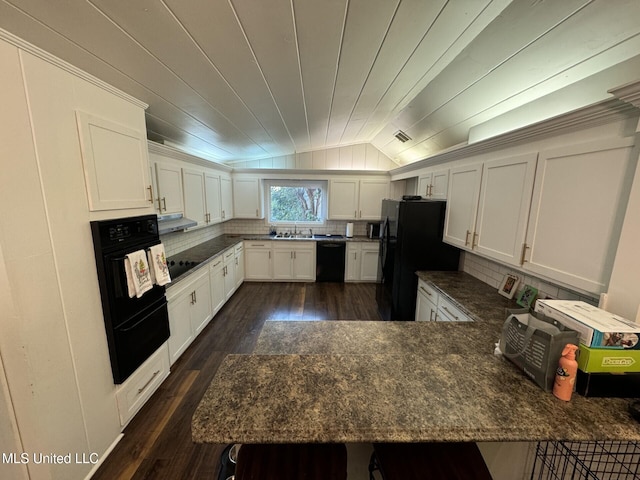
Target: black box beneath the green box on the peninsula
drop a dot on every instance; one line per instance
(623, 385)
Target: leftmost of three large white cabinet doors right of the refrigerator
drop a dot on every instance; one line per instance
(464, 186)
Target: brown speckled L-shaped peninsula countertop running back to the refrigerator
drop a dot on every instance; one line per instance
(395, 382)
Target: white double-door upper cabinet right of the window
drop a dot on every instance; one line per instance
(351, 199)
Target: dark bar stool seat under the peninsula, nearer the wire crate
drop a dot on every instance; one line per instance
(428, 461)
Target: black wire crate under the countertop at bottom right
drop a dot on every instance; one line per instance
(587, 460)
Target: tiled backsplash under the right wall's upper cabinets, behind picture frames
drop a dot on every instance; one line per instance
(492, 273)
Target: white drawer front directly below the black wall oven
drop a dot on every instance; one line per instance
(137, 389)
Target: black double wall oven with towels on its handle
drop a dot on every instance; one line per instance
(135, 327)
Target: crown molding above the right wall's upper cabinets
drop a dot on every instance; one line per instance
(601, 113)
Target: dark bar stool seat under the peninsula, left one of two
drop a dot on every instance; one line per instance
(292, 462)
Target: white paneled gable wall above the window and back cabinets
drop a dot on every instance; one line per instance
(363, 156)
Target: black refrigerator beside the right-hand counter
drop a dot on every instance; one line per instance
(411, 240)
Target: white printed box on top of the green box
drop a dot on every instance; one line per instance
(597, 328)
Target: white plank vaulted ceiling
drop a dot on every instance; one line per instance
(250, 79)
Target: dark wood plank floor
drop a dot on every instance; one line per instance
(157, 443)
